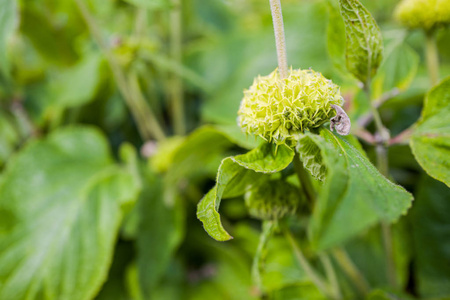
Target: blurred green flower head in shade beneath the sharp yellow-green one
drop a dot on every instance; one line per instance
(272, 201)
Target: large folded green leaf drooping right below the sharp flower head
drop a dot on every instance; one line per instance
(354, 196)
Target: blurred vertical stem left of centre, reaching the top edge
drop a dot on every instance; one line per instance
(176, 84)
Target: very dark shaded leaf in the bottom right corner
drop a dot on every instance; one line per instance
(430, 221)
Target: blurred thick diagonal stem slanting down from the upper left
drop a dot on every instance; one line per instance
(146, 127)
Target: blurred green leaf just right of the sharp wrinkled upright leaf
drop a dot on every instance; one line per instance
(396, 72)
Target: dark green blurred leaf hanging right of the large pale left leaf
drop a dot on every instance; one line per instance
(160, 232)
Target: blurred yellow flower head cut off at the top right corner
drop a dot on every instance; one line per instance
(424, 14)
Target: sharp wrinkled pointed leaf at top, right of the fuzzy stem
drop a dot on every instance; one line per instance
(364, 48)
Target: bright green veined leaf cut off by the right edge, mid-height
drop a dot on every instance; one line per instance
(430, 141)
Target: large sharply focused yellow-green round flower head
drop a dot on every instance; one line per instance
(279, 109)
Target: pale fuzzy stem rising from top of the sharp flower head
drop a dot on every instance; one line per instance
(278, 27)
